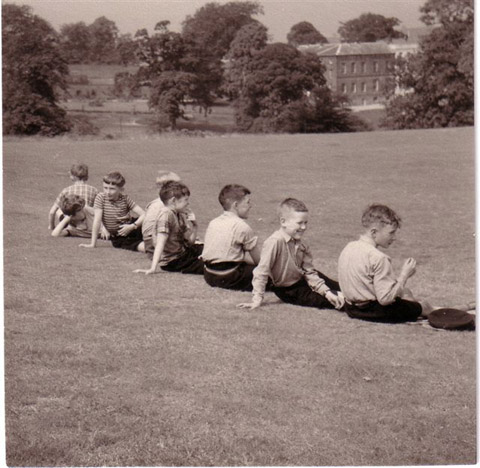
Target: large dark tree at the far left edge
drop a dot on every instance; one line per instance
(33, 71)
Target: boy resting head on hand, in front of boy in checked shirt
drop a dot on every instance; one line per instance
(78, 219)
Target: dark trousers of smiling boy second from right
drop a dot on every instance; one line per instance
(302, 294)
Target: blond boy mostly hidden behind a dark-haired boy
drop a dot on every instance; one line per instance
(153, 209)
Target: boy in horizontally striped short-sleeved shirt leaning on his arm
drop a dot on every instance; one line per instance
(112, 208)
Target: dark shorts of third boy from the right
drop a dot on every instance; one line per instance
(229, 275)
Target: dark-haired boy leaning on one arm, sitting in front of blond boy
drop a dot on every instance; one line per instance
(175, 248)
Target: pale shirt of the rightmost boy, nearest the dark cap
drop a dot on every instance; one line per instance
(365, 274)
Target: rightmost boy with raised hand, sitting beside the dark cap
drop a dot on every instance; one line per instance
(366, 277)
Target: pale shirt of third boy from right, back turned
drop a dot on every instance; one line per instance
(227, 239)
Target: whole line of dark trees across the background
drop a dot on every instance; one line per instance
(224, 51)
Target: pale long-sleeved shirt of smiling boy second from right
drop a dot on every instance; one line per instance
(286, 261)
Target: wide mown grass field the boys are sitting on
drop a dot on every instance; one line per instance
(105, 367)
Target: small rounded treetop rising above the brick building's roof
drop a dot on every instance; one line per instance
(370, 27)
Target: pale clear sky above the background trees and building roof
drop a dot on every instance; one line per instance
(279, 16)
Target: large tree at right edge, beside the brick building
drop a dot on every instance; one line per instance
(437, 82)
